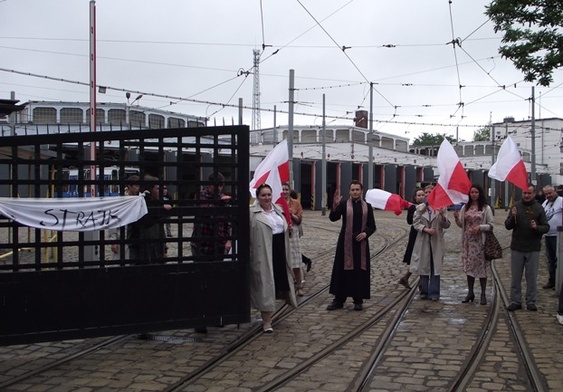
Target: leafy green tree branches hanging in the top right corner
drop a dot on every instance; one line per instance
(533, 35)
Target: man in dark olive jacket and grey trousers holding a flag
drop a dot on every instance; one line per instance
(528, 223)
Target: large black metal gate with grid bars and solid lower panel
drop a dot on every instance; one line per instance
(60, 285)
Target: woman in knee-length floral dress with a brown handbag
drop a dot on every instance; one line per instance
(474, 218)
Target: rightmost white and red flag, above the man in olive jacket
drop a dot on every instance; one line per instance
(509, 165)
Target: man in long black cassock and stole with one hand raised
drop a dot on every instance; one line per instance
(351, 268)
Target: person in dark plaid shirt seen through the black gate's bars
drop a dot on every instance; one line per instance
(207, 228)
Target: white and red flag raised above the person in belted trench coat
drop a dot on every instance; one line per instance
(453, 184)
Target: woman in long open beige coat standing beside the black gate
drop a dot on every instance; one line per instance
(270, 271)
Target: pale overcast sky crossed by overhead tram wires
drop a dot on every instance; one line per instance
(193, 57)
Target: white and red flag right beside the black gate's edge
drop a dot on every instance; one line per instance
(274, 171)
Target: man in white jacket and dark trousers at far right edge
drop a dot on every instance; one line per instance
(553, 206)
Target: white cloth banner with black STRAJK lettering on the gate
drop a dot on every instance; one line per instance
(75, 214)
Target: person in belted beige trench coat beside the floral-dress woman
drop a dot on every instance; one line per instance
(428, 254)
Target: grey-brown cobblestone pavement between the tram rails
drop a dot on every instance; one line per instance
(427, 351)
